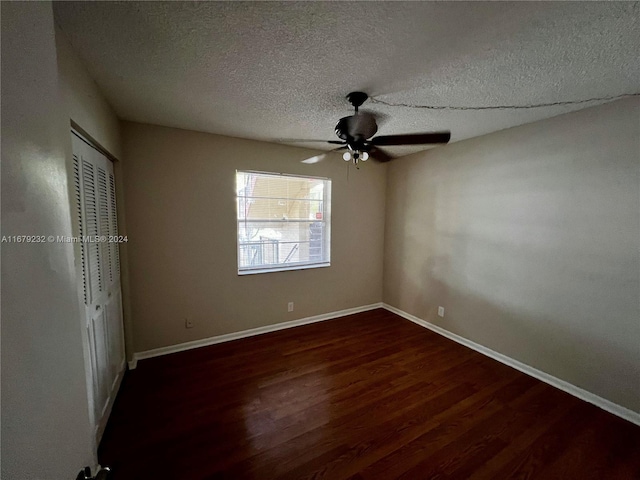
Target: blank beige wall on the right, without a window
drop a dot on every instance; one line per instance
(529, 238)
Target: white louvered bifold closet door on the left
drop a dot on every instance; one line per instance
(94, 183)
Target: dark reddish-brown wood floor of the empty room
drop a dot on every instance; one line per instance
(369, 396)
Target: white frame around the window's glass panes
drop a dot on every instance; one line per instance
(326, 219)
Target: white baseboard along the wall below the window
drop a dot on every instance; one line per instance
(246, 333)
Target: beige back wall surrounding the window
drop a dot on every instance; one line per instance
(180, 190)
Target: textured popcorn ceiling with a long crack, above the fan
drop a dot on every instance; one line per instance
(271, 70)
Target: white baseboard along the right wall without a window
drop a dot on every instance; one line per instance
(604, 404)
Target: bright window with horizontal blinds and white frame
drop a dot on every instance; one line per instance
(283, 222)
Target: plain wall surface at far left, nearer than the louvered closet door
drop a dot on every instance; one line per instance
(46, 432)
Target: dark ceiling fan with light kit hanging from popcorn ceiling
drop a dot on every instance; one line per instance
(356, 131)
